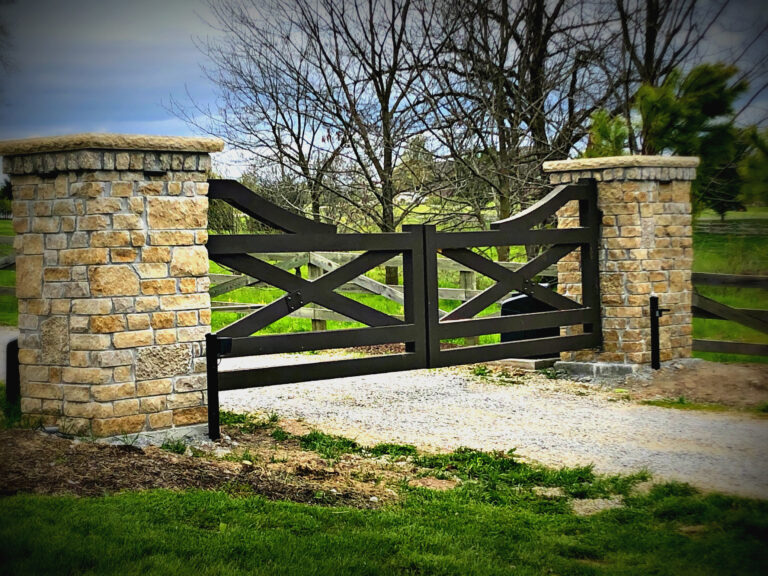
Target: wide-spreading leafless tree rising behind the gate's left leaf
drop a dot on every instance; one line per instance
(322, 90)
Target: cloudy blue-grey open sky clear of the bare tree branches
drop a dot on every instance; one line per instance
(112, 65)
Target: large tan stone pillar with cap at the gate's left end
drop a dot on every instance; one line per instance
(111, 279)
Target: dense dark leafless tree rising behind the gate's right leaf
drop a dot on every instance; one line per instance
(517, 88)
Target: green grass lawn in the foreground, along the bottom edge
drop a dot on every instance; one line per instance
(493, 523)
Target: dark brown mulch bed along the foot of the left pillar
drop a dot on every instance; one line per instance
(36, 462)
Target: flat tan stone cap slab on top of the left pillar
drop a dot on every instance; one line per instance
(105, 141)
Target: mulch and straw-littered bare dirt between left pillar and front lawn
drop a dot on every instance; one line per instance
(251, 463)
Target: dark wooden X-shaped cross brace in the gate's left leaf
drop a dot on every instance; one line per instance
(301, 292)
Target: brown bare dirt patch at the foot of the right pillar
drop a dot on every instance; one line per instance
(735, 385)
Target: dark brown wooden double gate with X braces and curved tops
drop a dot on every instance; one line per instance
(421, 328)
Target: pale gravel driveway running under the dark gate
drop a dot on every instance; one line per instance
(555, 422)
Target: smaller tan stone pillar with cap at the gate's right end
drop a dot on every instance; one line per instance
(646, 248)
